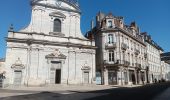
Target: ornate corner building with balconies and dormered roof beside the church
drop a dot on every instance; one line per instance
(121, 57)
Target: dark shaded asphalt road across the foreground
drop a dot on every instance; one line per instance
(147, 92)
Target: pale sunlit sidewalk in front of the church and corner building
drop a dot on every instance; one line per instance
(61, 89)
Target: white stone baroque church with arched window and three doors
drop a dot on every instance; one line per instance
(51, 49)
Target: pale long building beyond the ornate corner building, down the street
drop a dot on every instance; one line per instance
(156, 66)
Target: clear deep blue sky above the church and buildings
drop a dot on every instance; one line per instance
(152, 16)
